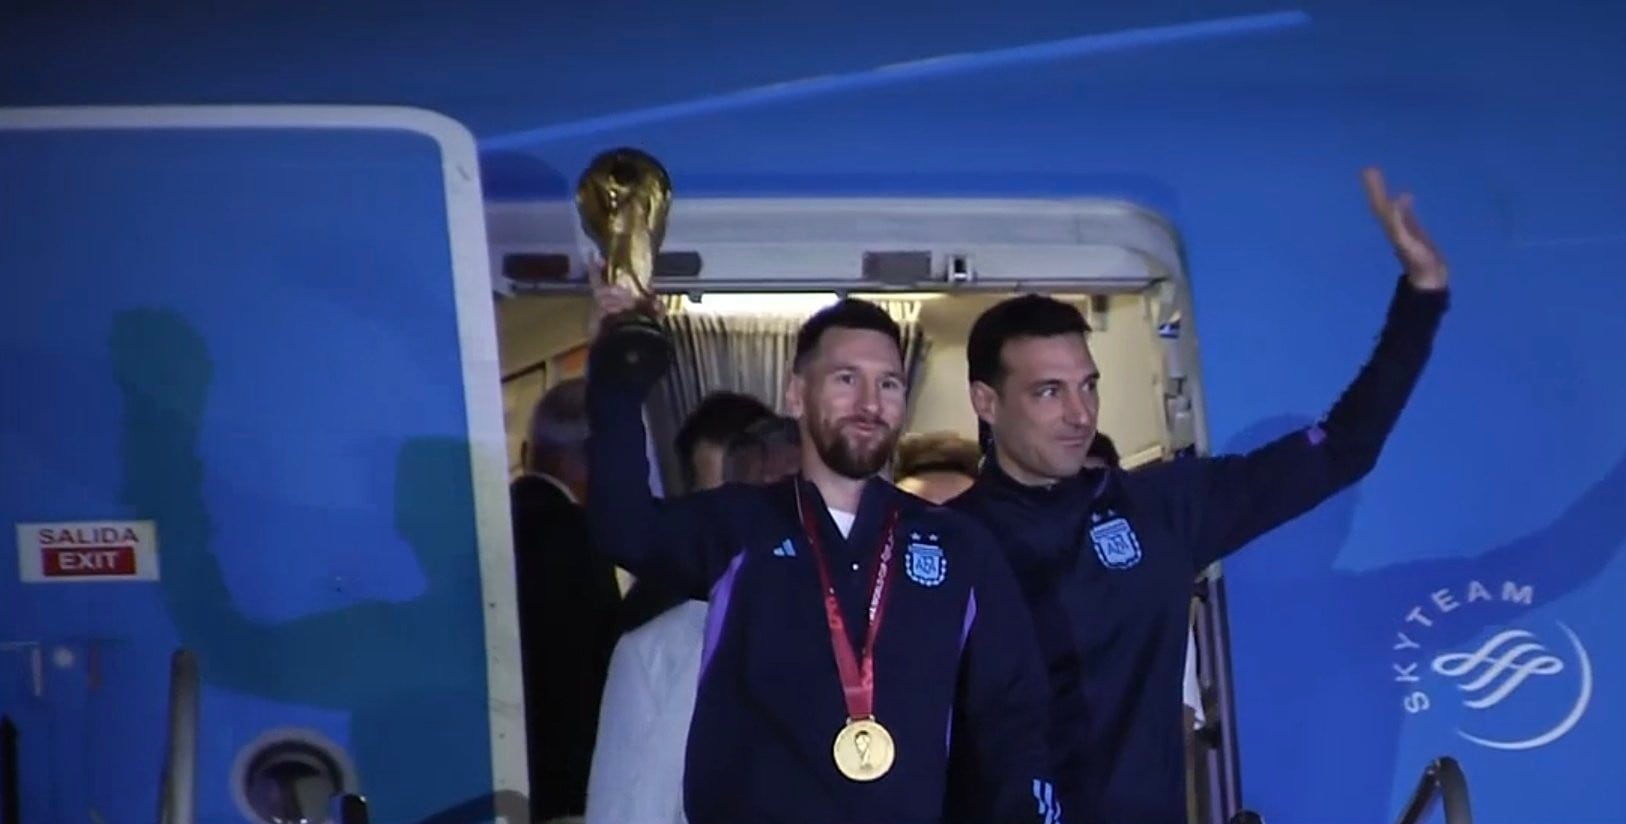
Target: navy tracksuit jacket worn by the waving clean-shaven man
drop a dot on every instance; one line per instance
(1106, 563)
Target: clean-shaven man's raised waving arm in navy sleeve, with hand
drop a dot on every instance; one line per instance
(1222, 505)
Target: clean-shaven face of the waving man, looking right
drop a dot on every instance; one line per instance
(1045, 409)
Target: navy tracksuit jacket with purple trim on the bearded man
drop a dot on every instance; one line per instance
(955, 653)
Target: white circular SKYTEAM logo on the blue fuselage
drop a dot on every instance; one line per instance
(1515, 687)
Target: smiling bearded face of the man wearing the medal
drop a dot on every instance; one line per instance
(850, 396)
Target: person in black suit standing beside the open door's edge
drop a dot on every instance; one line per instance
(568, 604)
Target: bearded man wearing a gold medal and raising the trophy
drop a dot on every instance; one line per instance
(841, 607)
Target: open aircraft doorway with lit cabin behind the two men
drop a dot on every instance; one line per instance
(739, 275)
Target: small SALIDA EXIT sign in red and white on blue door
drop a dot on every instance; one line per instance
(87, 552)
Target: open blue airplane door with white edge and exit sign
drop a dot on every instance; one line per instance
(250, 376)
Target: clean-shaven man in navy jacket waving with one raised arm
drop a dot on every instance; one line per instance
(1106, 558)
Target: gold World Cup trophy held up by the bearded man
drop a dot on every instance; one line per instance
(624, 199)
